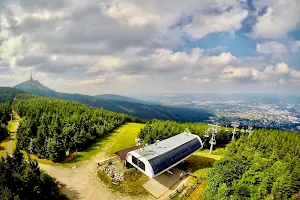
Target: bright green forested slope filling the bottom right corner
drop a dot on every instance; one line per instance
(263, 166)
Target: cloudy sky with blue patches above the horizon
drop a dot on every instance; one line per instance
(166, 46)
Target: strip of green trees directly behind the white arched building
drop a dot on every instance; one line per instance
(159, 130)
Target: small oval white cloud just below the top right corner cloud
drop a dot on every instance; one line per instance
(271, 48)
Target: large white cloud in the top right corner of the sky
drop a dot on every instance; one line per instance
(280, 18)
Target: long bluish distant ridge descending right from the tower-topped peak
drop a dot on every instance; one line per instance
(120, 104)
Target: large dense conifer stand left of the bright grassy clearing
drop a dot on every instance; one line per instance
(50, 127)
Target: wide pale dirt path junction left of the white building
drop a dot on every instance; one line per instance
(83, 182)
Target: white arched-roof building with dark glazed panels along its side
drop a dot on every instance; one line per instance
(159, 157)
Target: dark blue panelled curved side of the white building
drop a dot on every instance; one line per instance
(168, 159)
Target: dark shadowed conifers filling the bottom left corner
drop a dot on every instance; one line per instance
(21, 180)
